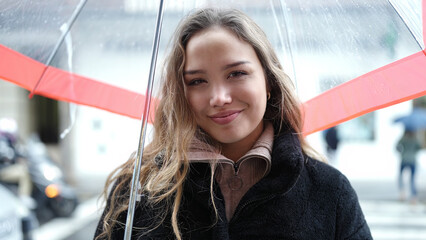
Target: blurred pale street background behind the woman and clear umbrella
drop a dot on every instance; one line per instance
(86, 144)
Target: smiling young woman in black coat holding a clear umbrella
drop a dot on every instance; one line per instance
(228, 160)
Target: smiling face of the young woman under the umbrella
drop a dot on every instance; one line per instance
(225, 86)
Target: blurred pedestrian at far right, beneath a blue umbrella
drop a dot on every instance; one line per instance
(408, 147)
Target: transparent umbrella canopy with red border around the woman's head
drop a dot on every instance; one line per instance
(346, 57)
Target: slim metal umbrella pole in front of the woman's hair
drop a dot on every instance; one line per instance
(139, 156)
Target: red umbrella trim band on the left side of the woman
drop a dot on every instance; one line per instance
(65, 86)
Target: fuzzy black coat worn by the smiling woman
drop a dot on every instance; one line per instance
(300, 198)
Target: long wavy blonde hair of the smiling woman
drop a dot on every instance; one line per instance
(165, 163)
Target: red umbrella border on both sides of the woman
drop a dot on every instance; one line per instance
(399, 81)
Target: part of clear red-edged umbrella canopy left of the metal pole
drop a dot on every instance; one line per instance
(93, 53)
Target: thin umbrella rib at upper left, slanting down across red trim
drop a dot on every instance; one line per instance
(59, 42)
